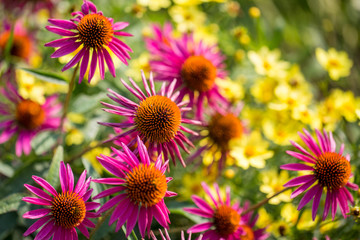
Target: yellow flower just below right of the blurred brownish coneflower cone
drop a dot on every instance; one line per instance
(250, 150)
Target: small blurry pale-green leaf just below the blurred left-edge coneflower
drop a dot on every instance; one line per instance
(44, 141)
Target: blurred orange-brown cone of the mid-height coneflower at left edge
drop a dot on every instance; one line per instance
(30, 115)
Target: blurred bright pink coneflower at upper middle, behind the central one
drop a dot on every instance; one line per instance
(193, 64)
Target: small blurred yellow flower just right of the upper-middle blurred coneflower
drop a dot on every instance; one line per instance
(232, 90)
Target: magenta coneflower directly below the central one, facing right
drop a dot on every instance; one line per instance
(141, 186)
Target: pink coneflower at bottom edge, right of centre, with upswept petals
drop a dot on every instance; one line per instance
(224, 218)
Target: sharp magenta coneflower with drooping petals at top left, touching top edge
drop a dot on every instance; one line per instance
(90, 34)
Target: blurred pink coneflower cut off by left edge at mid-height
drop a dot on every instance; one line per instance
(26, 118)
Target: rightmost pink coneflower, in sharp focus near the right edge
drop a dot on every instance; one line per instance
(330, 170)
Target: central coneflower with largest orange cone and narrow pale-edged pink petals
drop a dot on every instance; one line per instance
(156, 118)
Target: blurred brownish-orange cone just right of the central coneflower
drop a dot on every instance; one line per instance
(223, 128)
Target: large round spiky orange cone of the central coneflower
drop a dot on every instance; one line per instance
(158, 118)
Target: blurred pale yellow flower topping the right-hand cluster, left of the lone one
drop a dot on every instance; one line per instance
(268, 62)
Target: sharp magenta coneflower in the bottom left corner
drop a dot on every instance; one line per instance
(64, 211)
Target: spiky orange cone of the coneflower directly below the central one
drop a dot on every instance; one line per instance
(146, 185)
